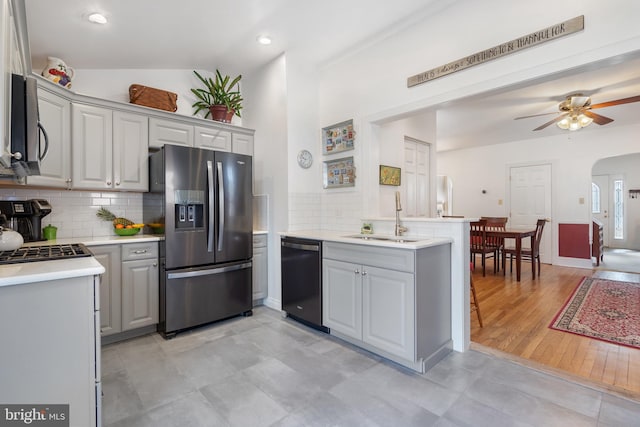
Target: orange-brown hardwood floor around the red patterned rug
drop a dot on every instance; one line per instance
(516, 317)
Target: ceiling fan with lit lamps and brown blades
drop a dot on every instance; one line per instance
(575, 112)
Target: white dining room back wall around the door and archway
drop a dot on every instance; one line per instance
(572, 157)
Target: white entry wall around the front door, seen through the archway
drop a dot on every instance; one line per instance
(629, 167)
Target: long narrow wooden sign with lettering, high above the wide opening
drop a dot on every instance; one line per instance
(545, 35)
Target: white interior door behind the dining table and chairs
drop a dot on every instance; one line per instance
(531, 200)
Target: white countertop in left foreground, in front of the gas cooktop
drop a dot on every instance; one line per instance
(30, 272)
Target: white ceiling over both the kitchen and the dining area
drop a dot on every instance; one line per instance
(210, 34)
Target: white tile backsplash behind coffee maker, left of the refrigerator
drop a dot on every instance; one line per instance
(74, 212)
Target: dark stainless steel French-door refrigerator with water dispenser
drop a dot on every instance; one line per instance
(203, 199)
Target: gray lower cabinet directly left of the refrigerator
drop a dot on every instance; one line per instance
(129, 289)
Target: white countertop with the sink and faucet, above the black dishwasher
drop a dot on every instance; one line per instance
(388, 241)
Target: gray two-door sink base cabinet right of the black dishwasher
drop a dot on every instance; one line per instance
(394, 302)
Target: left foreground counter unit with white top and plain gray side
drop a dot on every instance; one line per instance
(49, 321)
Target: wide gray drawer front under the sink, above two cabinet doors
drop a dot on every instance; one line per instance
(392, 258)
